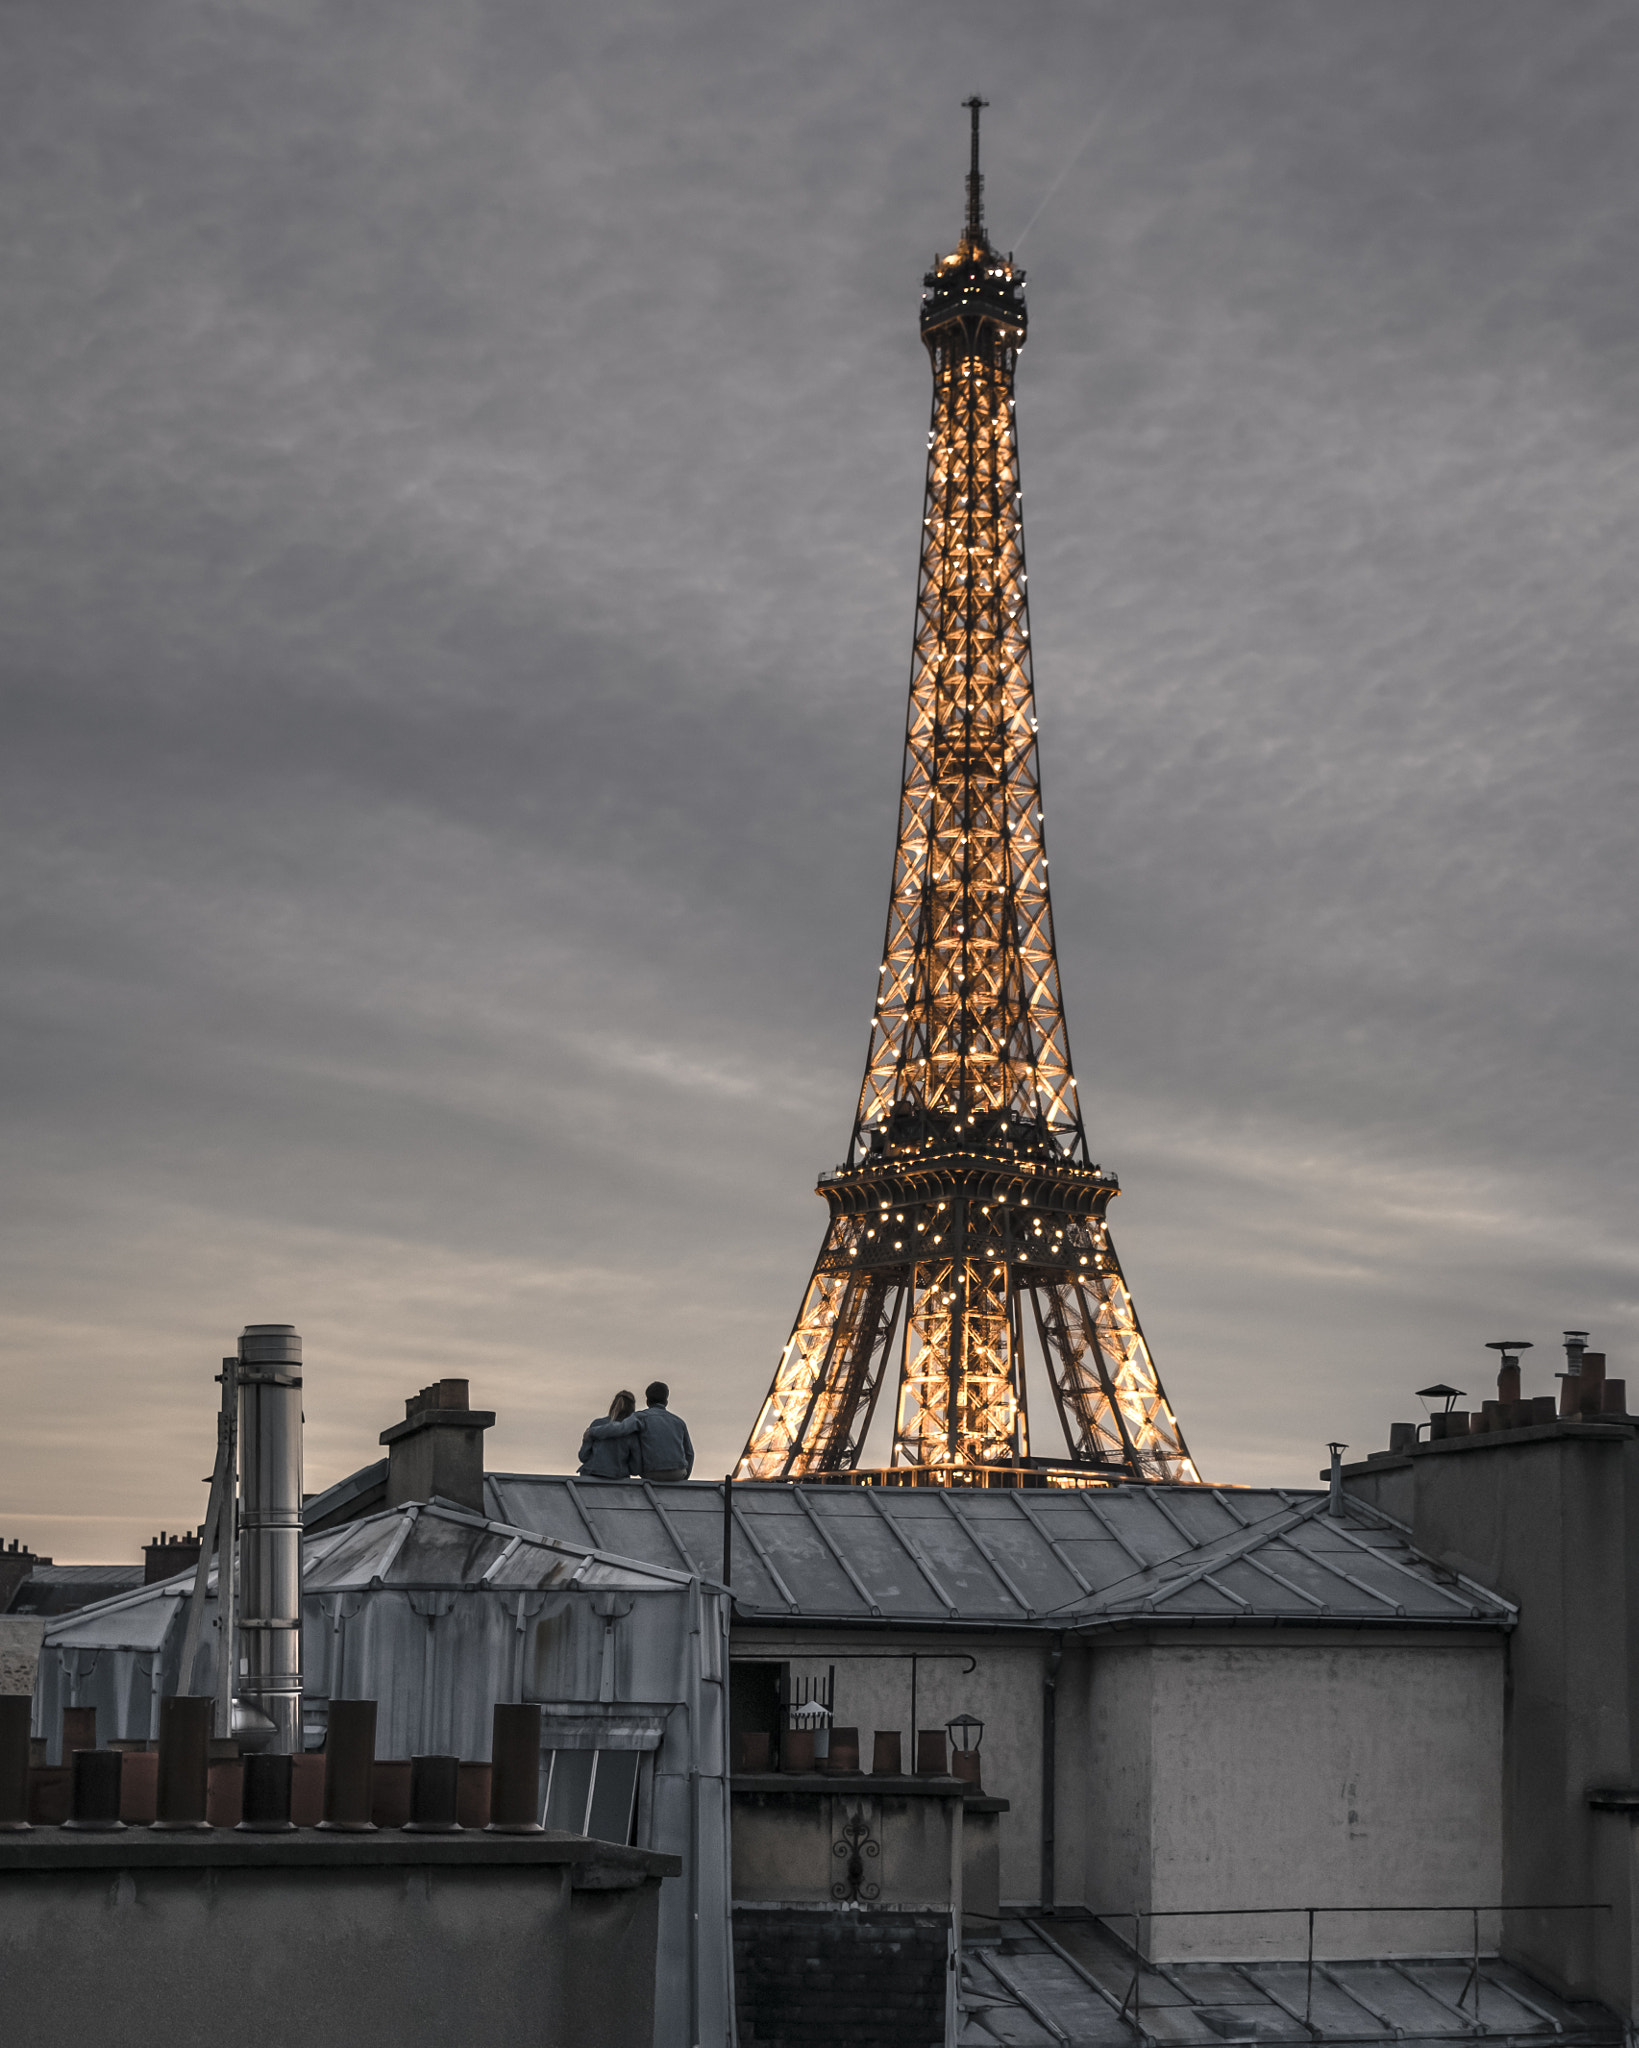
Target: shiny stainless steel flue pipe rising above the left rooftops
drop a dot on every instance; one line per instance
(269, 1377)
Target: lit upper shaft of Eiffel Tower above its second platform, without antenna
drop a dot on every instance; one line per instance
(970, 1011)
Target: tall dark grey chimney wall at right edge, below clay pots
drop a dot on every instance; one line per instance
(1550, 1519)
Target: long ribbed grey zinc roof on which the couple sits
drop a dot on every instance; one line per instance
(1013, 1558)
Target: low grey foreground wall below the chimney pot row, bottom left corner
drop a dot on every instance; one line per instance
(401, 1943)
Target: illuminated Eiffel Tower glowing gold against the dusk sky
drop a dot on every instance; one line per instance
(970, 1211)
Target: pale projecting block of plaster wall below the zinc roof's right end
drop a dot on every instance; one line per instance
(1357, 1770)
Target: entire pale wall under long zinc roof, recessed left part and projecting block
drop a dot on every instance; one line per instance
(1286, 1768)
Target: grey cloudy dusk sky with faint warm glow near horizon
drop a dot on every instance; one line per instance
(462, 484)
